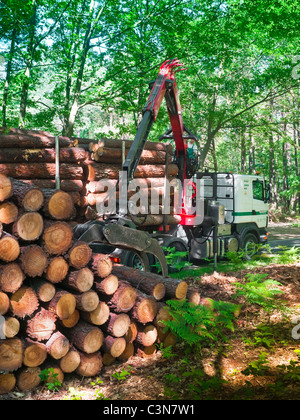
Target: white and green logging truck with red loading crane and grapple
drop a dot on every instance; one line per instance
(204, 214)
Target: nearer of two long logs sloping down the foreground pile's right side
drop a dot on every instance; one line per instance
(142, 281)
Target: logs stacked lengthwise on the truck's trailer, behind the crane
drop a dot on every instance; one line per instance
(30, 156)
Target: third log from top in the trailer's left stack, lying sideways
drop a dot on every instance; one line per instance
(41, 170)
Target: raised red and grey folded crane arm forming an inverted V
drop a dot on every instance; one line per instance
(164, 87)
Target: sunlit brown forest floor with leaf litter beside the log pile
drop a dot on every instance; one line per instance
(262, 343)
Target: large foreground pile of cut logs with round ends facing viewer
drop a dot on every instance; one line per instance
(61, 306)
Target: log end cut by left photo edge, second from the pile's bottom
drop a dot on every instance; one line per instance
(11, 354)
